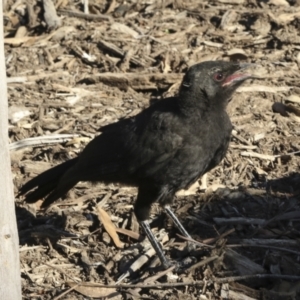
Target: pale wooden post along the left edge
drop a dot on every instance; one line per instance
(10, 278)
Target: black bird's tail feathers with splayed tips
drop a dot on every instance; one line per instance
(49, 183)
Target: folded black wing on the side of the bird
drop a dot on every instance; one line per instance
(135, 146)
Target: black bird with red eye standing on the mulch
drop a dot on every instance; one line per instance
(161, 150)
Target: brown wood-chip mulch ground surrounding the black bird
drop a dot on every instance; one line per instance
(75, 66)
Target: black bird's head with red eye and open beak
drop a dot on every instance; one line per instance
(213, 82)
